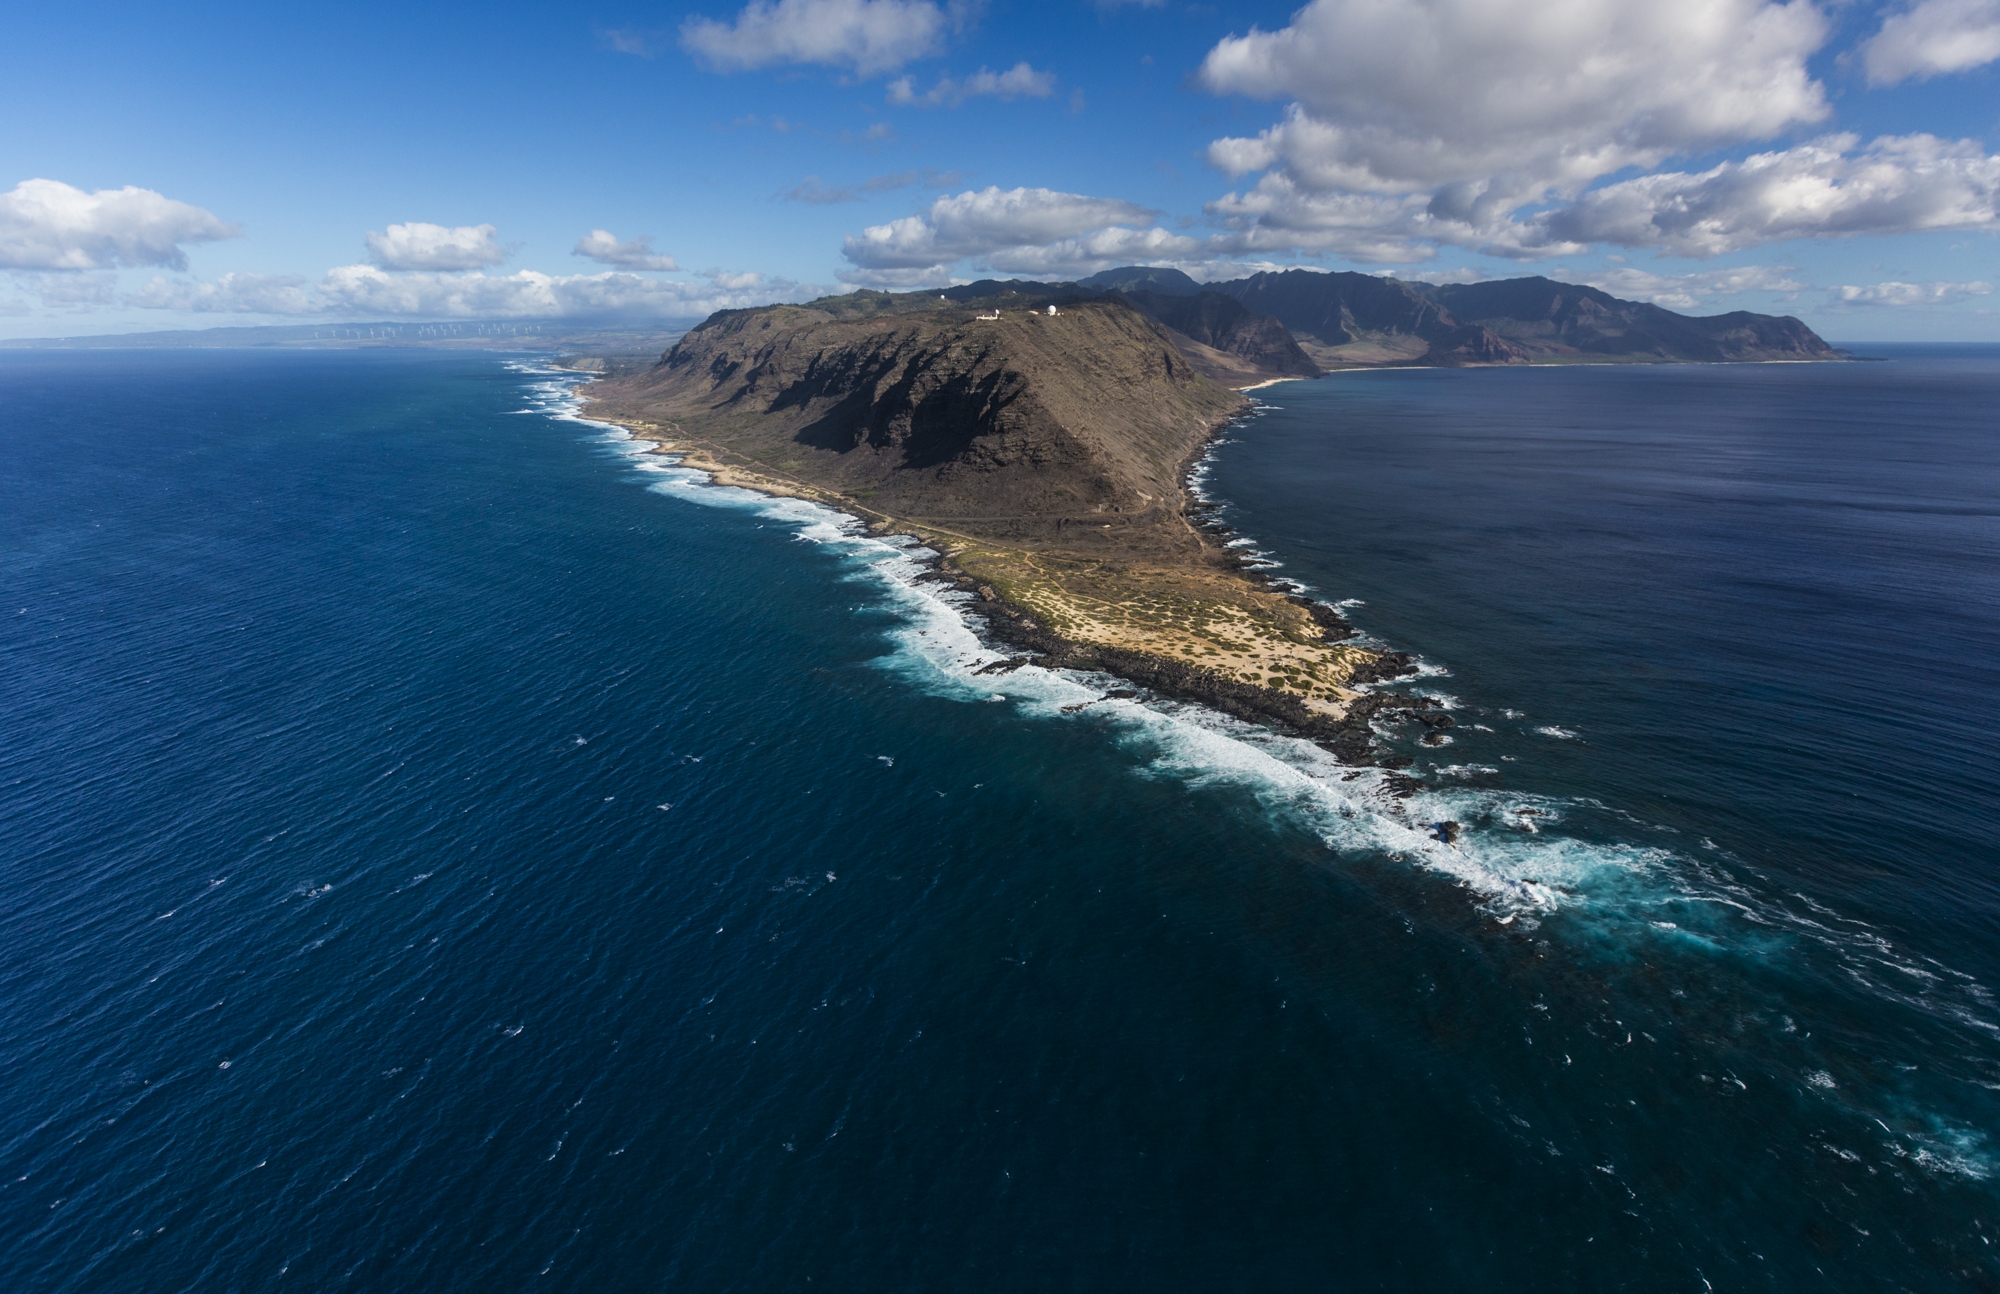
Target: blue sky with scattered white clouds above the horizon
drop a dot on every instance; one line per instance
(221, 165)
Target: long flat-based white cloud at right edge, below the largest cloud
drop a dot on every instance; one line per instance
(1827, 189)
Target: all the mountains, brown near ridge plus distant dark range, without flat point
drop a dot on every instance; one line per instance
(1039, 413)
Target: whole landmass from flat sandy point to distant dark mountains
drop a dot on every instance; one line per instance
(1041, 437)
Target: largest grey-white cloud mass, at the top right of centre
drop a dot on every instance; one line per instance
(1415, 123)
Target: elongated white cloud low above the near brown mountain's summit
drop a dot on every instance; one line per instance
(987, 225)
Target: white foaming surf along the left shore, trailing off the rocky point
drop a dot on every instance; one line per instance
(1511, 853)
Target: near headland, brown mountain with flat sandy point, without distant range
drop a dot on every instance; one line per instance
(1045, 457)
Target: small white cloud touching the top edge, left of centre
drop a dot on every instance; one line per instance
(865, 37)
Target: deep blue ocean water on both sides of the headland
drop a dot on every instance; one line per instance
(443, 849)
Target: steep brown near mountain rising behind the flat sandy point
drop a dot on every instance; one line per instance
(1025, 427)
